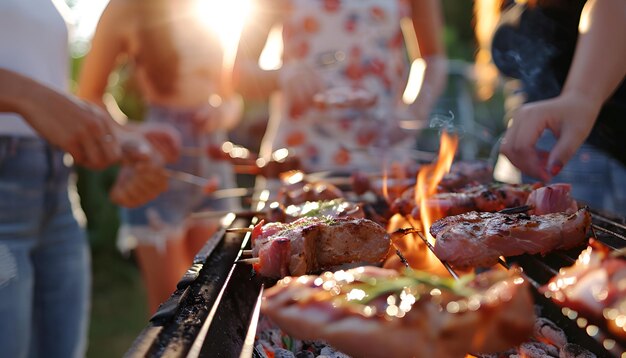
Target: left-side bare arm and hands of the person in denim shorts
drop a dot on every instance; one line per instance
(142, 176)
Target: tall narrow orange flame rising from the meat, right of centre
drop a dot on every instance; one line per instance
(429, 177)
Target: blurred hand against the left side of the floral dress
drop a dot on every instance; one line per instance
(299, 83)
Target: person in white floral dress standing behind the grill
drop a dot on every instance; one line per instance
(335, 50)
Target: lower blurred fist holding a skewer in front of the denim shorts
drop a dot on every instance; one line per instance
(138, 183)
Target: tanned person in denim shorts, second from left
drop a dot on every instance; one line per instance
(176, 59)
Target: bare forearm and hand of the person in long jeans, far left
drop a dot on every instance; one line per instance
(82, 130)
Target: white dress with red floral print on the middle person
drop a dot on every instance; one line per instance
(352, 44)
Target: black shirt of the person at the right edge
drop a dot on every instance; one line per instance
(537, 46)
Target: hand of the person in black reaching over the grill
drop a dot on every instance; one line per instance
(570, 117)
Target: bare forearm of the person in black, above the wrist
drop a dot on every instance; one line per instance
(598, 65)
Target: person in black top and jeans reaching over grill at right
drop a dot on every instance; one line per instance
(568, 56)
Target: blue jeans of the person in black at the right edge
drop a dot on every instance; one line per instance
(597, 179)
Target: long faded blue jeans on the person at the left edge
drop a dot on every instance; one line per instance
(44, 256)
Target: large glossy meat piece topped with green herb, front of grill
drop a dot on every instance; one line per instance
(373, 312)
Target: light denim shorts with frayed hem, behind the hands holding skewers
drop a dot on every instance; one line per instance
(165, 217)
